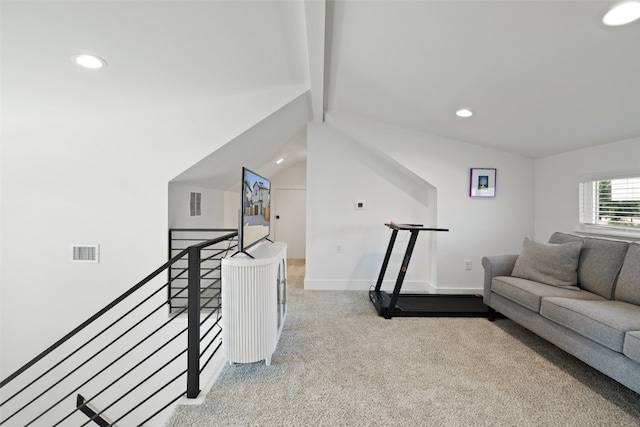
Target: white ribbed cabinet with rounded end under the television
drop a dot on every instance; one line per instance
(254, 303)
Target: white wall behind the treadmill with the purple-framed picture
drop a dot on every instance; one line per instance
(478, 227)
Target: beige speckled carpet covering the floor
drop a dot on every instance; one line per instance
(339, 364)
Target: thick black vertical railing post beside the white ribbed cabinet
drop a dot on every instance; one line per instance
(193, 324)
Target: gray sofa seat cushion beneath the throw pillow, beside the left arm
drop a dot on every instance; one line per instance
(528, 293)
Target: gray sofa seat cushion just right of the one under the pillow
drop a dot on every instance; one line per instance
(605, 322)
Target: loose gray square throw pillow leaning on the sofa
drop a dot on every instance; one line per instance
(549, 263)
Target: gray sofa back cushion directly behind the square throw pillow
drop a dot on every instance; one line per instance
(600, 262)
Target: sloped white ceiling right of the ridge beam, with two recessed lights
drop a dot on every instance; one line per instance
(543, 77)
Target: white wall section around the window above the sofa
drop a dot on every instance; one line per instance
(557, 177)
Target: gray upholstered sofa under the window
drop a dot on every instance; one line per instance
(581, 294)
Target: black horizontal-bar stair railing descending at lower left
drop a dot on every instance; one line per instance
(131, 359)
